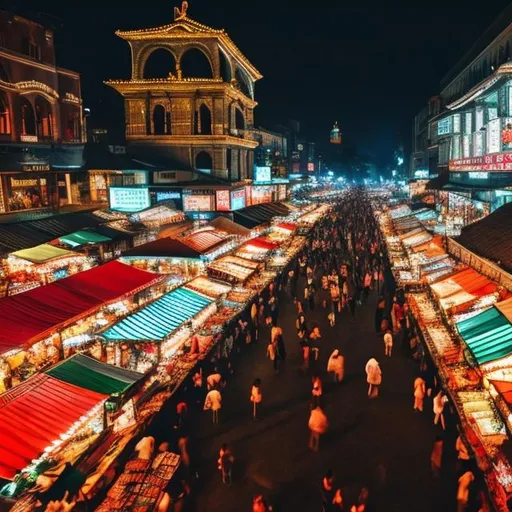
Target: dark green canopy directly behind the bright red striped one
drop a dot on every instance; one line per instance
(88, 373)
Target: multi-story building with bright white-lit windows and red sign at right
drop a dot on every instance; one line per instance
(470, 137)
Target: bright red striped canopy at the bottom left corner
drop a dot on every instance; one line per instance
(36, 413)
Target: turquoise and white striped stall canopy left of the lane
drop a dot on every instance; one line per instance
(160, 319)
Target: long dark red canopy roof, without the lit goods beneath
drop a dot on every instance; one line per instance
(29, 316)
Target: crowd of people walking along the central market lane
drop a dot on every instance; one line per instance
(342, 263)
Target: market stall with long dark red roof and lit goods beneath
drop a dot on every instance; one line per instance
(33, 323)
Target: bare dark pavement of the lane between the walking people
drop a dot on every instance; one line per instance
(381, 444)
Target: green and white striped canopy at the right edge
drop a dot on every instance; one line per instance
(488, 335)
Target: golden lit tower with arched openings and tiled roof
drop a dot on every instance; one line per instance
(192, 122)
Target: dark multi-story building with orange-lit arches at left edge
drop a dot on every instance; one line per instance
(41, 124)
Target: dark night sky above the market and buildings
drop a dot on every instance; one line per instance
(371, 69)
